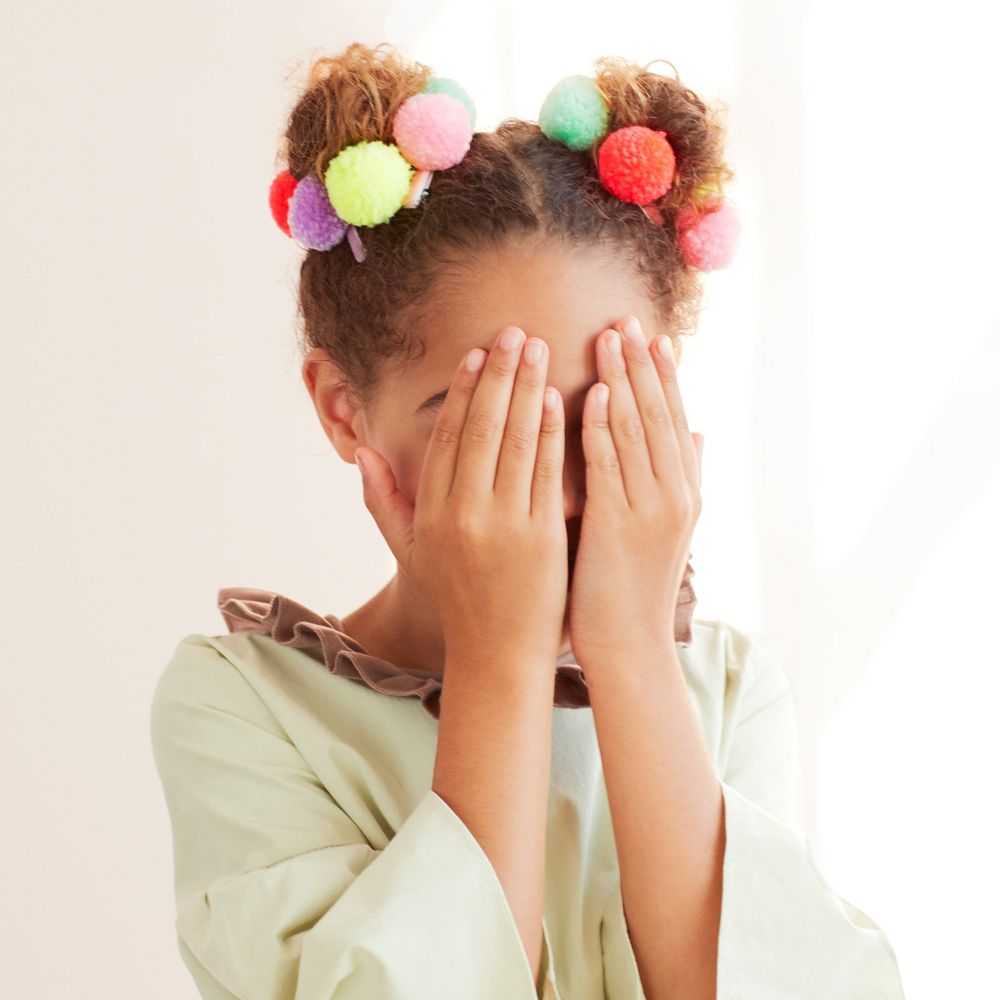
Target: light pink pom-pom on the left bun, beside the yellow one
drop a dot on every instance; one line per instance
(432, 131)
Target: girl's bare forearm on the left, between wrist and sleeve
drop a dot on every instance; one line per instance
(493, 763)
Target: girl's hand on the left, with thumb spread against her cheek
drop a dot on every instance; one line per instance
(485, 541)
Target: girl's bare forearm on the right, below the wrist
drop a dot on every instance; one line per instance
(668, 816)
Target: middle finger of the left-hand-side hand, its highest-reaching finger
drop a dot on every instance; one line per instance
(482, 436)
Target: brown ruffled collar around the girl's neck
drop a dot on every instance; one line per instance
(247, 609)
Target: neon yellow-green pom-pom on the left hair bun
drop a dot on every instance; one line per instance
(368, 182)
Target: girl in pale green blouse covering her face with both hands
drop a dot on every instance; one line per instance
(525, 771)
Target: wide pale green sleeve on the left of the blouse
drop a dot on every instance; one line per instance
(279, 894)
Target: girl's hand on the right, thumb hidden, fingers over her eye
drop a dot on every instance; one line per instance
(643, 501)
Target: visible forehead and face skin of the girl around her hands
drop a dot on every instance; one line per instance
(565, 297)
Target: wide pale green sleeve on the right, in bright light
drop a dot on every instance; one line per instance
(784, 933)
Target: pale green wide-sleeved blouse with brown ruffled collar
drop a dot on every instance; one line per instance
(313, 860)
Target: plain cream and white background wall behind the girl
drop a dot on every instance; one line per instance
(158, 442)
